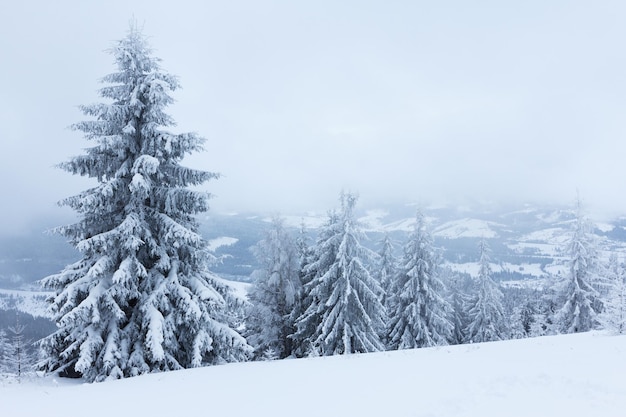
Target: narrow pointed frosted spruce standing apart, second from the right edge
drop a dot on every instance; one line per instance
(580, 301)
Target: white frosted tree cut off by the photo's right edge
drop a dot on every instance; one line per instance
(613, 318)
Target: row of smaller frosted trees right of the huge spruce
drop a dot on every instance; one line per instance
(336, 297)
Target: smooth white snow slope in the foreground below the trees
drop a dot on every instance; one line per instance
(573, 375)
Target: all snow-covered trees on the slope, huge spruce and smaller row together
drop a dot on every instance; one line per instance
(142, 297)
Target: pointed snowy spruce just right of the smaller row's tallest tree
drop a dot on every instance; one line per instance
(419, 314)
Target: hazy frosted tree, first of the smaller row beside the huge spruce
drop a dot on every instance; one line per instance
(273, 293)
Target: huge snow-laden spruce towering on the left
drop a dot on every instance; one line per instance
(141, 298)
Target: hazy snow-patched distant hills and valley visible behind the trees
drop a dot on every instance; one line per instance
(526, 243)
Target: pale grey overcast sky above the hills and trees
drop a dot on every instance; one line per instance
(401, 101)
